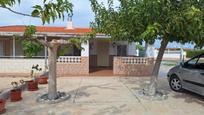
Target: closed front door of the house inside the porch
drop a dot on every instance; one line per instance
(102, 53)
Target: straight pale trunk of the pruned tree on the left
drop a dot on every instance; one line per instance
(52, 85)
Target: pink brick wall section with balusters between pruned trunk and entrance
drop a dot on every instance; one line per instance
(72, 65)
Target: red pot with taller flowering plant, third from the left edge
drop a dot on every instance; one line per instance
(33, 84)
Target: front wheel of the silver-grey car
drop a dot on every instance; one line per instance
(175, 83)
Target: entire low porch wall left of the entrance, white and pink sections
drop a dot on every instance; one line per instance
(66, 65)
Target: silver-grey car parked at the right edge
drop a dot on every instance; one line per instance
(188, 75)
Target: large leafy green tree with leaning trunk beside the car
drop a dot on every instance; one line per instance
(147, 20)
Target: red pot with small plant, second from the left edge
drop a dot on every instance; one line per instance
(15, 93)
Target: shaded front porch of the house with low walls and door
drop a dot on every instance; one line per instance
(99, 57)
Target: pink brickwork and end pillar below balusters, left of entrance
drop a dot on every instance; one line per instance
(64, 69)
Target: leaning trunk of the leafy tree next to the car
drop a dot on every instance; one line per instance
(155, 72)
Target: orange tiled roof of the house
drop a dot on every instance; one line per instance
(46, 29)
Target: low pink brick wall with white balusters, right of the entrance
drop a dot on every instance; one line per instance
(133, 66)
